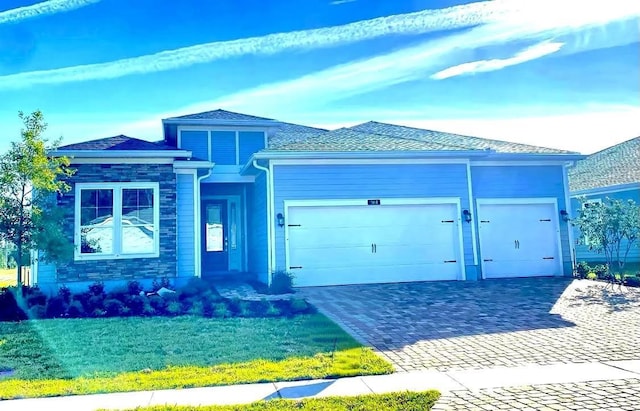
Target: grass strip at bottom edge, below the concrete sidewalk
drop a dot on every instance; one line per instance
(402, 401)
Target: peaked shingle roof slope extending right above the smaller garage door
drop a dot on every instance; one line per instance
(449, 139)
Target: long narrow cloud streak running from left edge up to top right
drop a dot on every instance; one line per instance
(405, 24)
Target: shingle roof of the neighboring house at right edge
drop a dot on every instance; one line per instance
(619, 164)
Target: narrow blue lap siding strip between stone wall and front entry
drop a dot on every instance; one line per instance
(186, 228)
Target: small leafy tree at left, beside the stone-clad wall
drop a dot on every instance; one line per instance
(29, 182)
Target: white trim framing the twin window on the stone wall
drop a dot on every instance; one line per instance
(117, 188)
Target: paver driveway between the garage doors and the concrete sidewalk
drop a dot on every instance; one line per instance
(460, 325)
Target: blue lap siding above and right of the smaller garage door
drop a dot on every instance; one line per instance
(524, 182)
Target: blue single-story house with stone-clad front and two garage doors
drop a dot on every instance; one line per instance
(230, 195)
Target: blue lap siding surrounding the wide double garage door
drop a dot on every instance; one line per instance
(323, 182)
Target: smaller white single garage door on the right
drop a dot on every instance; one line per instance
(519, 240)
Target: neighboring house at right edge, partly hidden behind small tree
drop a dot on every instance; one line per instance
(614, 173)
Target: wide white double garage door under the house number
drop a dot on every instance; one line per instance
(332, 245)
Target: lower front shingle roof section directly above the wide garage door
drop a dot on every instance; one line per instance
(347, 139)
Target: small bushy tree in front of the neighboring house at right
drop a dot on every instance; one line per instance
(611, 227)
